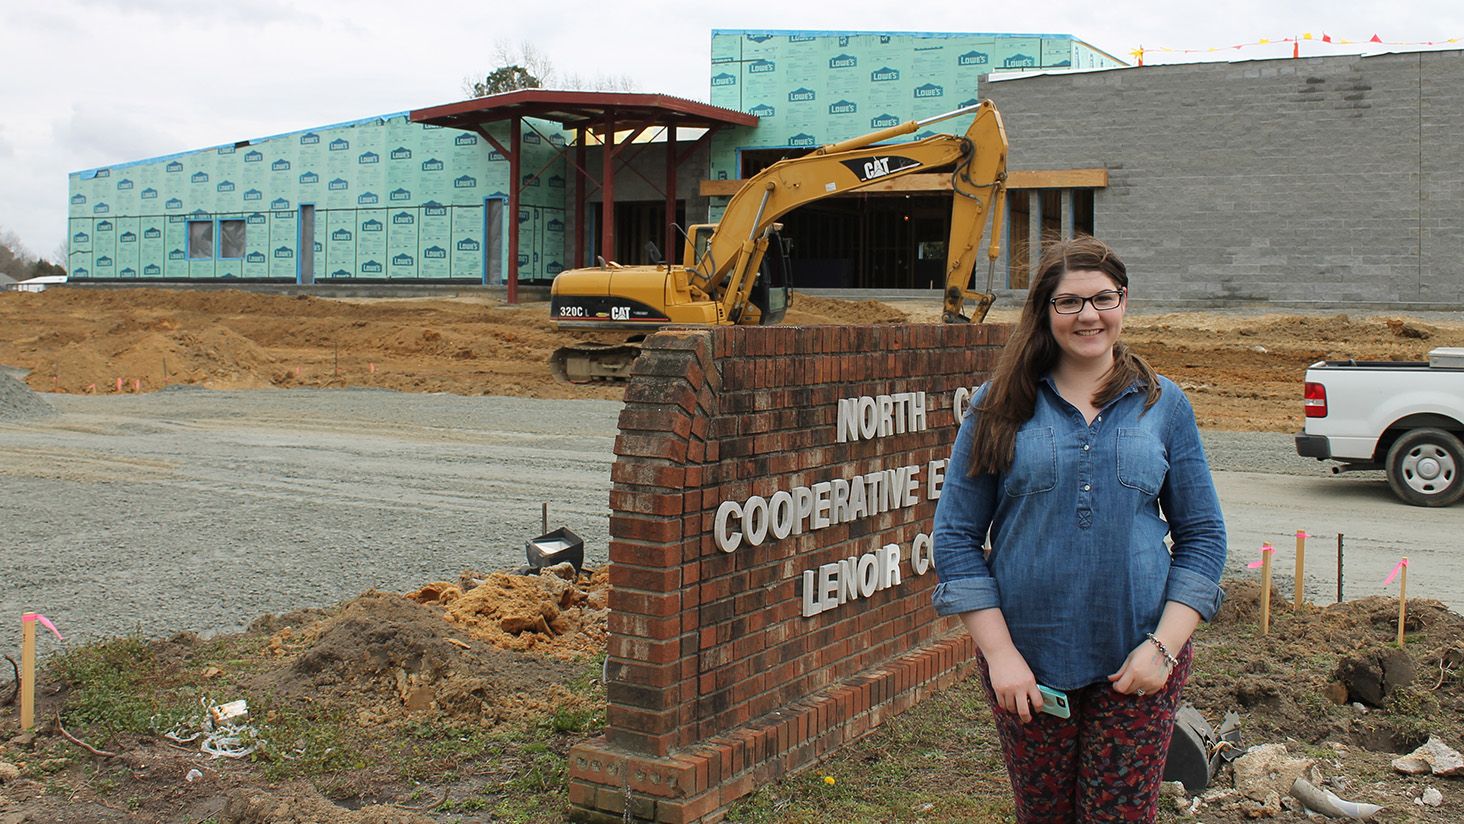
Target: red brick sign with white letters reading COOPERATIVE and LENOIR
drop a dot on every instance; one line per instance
(774, 492)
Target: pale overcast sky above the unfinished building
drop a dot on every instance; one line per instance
(97, 83)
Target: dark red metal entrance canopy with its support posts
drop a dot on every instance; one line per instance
(598, 113)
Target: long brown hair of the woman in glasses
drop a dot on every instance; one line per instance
(1033, 353)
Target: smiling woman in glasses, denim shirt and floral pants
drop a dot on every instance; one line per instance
(1078, 460)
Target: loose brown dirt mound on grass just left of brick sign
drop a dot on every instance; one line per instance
(389, 656)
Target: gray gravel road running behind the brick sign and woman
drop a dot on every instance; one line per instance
(201, 510)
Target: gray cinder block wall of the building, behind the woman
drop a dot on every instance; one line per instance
(1323, 181)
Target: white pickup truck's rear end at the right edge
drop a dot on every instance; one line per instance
(1402, 418)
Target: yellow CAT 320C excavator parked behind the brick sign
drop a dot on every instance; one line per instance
(737, 266)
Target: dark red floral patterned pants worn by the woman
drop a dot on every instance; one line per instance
(1105, 763)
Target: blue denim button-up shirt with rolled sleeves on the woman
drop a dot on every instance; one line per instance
(1080, 564)
